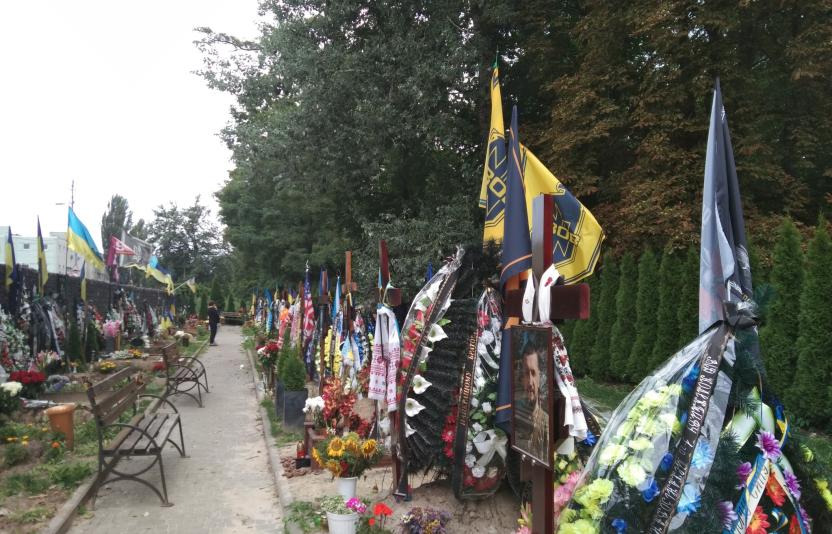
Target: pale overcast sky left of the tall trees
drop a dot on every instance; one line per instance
(103, 92)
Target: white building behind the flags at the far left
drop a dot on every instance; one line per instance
(59, 260)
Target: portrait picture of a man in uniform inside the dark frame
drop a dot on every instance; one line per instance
(531, 403)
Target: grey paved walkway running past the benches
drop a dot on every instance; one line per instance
(226, 486)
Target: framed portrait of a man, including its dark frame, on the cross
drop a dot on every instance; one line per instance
(532, 392)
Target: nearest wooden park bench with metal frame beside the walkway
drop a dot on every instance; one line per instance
(145, 434)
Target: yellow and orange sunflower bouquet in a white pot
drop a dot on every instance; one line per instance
(347, 456)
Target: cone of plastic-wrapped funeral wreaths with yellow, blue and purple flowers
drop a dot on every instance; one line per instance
(695, 448)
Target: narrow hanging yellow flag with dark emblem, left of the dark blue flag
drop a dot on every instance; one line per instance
(493, 189)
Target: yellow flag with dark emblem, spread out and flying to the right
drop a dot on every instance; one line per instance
(576, 235)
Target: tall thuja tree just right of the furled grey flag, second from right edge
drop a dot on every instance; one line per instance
(778, 335)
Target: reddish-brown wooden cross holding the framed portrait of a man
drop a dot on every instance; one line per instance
(567, 302)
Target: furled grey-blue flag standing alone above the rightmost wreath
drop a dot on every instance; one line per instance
(724, 267)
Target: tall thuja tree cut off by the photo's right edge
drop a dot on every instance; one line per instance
(810, 393)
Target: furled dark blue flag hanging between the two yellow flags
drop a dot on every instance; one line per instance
(517, 245)
